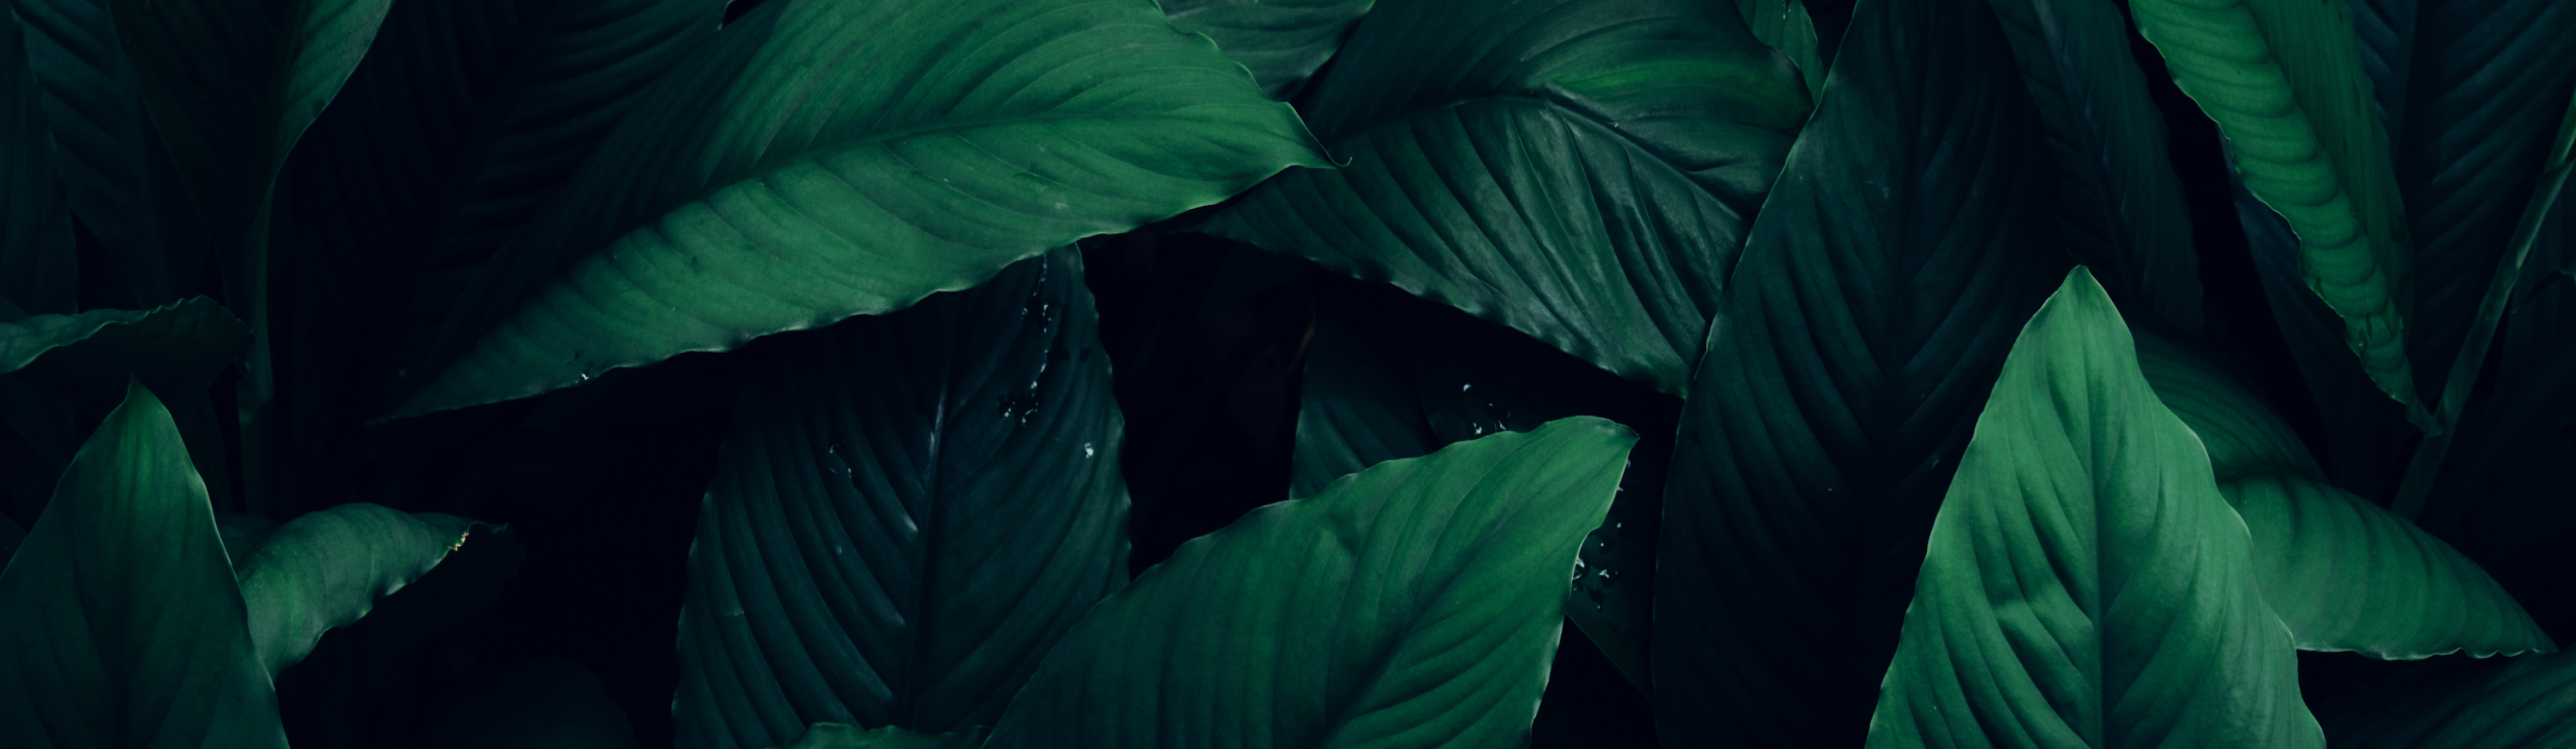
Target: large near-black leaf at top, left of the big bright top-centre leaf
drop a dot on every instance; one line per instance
(457, 127)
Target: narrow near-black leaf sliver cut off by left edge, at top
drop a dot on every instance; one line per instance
(37, 264)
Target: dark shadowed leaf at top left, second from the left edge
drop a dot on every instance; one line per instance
(117, 171)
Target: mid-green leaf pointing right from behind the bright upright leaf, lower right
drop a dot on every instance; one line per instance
(2348, 575)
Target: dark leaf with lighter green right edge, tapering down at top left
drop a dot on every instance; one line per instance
(231, 89)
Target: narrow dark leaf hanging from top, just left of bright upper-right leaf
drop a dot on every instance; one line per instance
(2121, 202)
